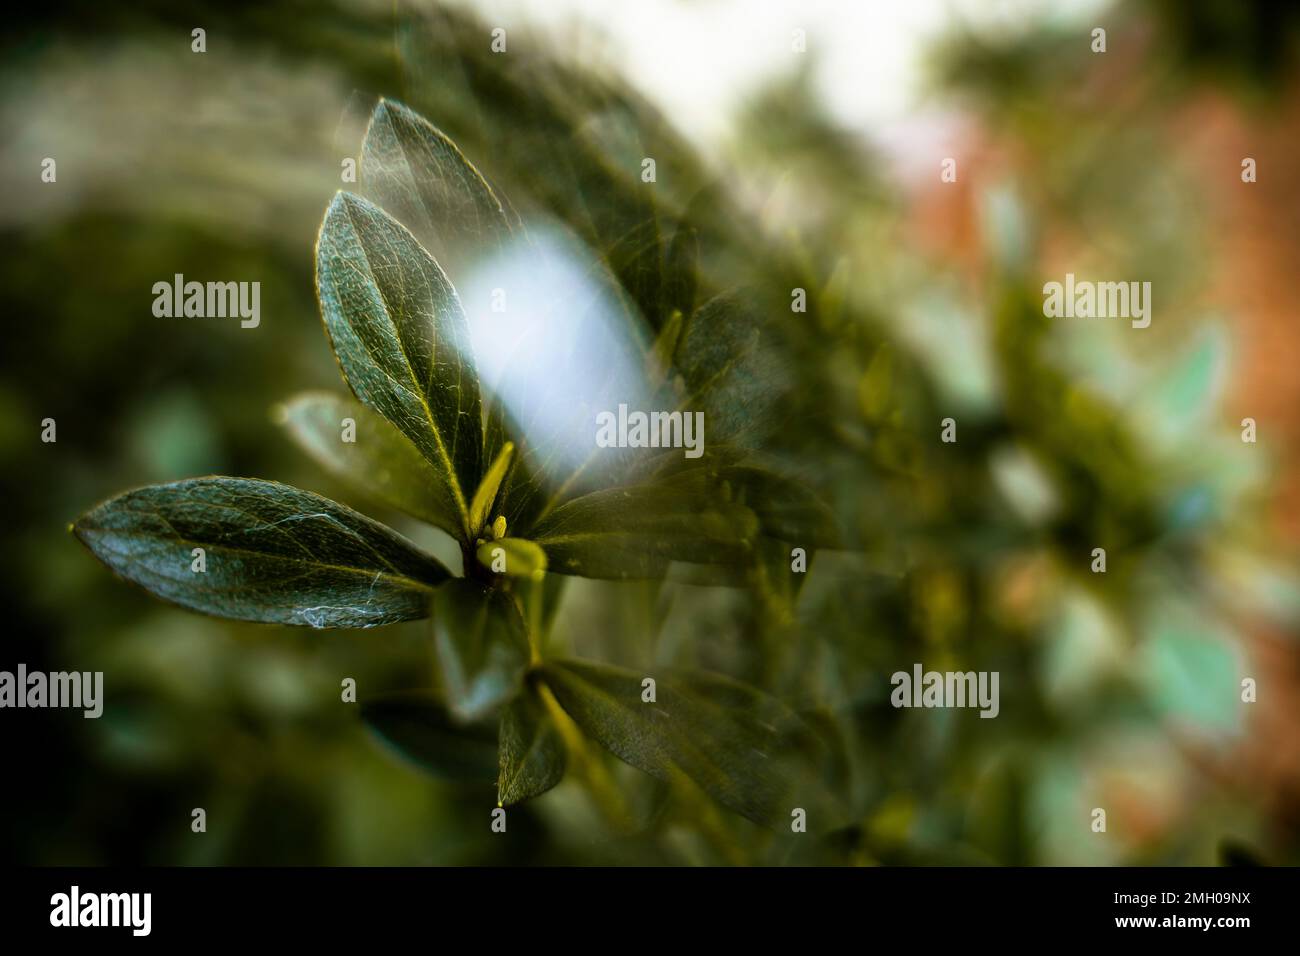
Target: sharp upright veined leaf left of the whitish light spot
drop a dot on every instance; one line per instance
(402, 341)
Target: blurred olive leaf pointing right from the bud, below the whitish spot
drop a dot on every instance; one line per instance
(638, 531)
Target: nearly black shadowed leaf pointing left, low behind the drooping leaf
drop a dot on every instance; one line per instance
(418, 726)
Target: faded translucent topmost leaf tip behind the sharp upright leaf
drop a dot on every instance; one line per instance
(421, 178)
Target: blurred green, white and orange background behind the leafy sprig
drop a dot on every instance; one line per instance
(816, 170)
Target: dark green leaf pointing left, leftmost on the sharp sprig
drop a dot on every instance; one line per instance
(272, 553)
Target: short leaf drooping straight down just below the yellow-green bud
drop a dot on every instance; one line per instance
(482, 647)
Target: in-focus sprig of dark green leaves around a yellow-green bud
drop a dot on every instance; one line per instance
(432, 443)
